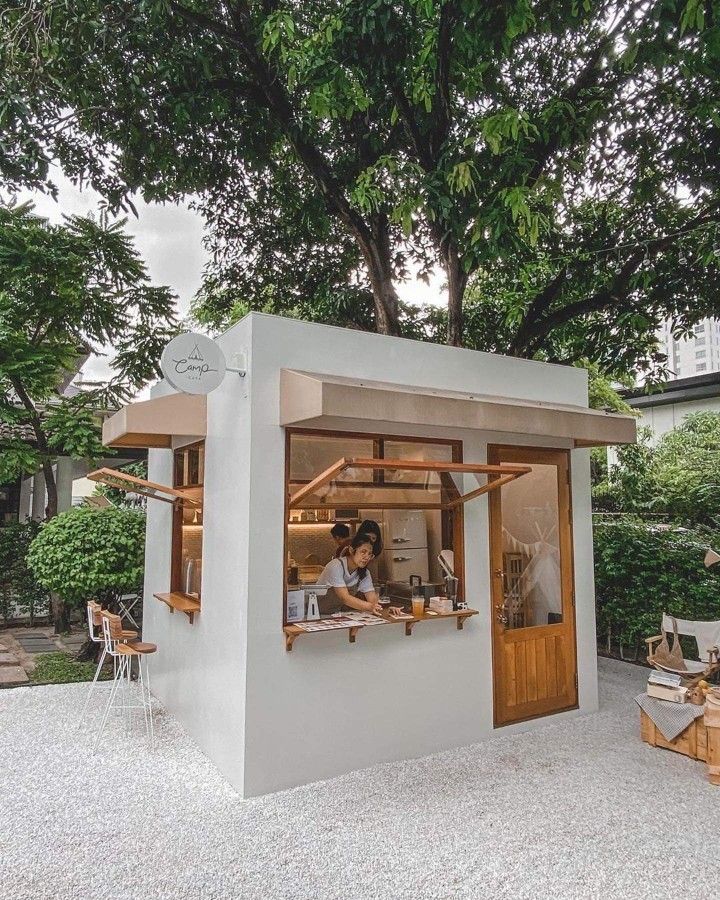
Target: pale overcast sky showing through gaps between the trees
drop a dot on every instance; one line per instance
(169, 239)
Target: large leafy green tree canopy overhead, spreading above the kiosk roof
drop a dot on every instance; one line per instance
(561, 159)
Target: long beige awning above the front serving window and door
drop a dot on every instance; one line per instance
(312, 400)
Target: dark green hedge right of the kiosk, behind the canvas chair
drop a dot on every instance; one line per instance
(643, 570)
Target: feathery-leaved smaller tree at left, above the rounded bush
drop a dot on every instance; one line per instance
(67, 291)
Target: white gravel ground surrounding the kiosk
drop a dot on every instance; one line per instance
(576, 810)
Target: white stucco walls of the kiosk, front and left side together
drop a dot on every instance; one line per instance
(271, 719)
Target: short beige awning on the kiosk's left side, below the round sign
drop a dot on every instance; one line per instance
(153, 423)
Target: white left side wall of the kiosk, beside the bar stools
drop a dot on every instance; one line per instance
(199, 670)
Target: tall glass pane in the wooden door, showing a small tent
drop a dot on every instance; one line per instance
(531, 549)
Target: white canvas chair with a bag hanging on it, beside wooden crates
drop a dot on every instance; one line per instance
(670, 659)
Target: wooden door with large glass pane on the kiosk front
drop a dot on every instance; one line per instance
(534, 658)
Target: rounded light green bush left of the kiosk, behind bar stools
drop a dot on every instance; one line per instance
(89, 553)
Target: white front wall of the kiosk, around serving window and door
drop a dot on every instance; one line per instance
(330, 707)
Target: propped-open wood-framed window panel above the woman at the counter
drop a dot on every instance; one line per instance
(399, 484)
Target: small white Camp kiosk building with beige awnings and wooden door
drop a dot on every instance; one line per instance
(447, 450)
